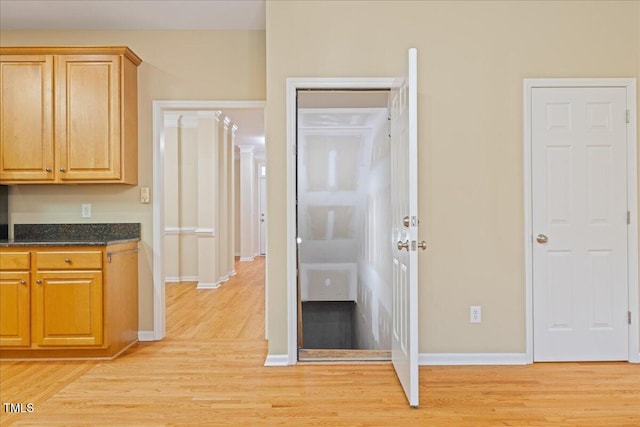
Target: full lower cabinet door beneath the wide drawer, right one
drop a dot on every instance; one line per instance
(67, 308)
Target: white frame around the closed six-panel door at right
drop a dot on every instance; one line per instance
(632, 201)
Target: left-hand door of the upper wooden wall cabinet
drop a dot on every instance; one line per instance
(26, 118)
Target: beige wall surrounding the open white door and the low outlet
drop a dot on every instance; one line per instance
(473, 57)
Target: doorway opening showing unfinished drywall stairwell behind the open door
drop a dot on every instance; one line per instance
(343, 225)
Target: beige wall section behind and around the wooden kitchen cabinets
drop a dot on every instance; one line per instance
(211, 65)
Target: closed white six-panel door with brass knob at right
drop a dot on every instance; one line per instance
(579, 214)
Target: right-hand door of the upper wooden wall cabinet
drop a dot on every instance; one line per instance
(88, 117)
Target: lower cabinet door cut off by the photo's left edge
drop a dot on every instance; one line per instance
(14, 309)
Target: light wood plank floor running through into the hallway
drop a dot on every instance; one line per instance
(209, 371)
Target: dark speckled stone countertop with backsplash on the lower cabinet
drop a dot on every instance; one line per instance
(72, 234)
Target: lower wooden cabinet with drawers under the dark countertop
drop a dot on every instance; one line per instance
(61, 302)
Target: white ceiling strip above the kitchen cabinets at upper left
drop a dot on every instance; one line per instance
(132, 14)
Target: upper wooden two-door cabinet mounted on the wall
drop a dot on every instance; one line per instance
(68, 115)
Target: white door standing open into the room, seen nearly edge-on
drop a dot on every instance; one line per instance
(404, 228)
